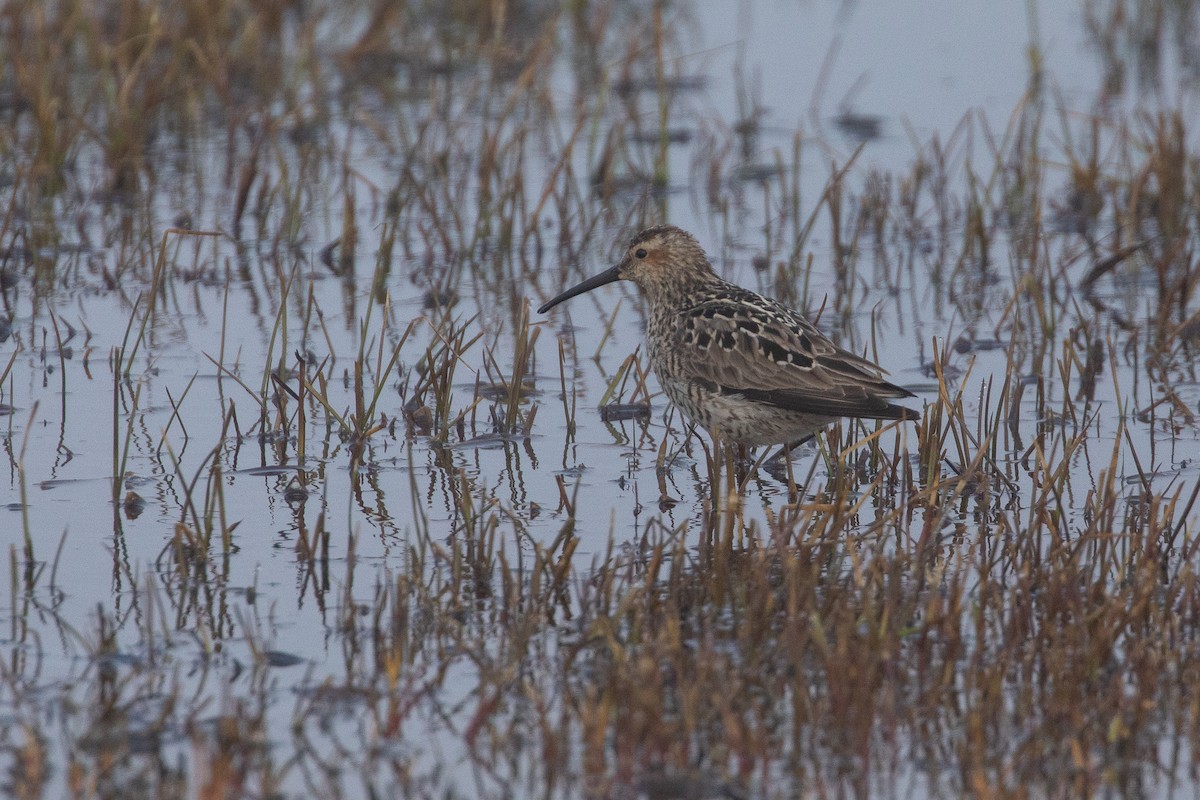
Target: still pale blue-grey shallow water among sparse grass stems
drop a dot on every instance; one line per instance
(200, 631)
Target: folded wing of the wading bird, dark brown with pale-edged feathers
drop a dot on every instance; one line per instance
(746, 345)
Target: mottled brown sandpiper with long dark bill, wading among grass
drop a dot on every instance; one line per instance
(746, 369)
